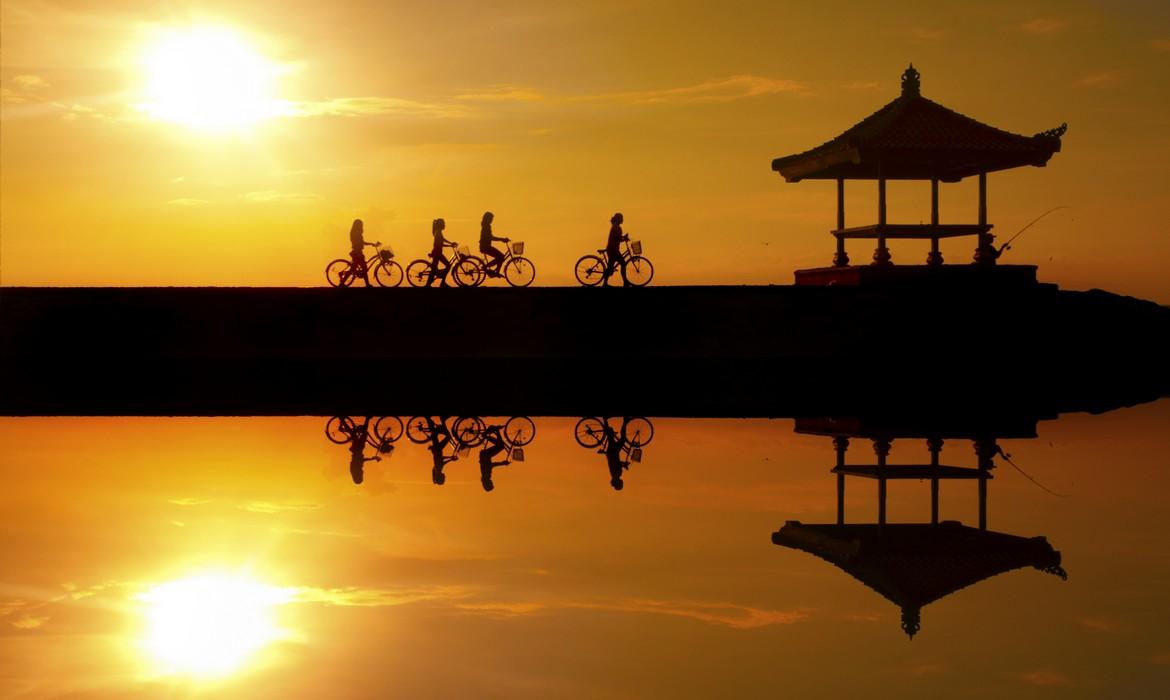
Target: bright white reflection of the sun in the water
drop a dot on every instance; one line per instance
(210, 626)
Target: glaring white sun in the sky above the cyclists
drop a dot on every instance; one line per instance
(208, 78)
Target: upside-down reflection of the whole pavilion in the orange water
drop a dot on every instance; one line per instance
(914, 565)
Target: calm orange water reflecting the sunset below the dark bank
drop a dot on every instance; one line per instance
(237, 558)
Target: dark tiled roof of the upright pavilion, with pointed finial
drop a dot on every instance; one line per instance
(914, 139)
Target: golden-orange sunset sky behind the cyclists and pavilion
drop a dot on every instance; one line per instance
(556, 115)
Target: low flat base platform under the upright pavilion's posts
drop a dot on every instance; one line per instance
(1009, 277)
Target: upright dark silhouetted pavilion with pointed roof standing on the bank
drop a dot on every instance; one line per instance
(914, 139)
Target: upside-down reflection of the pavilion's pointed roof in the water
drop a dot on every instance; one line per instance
(913, 566)
